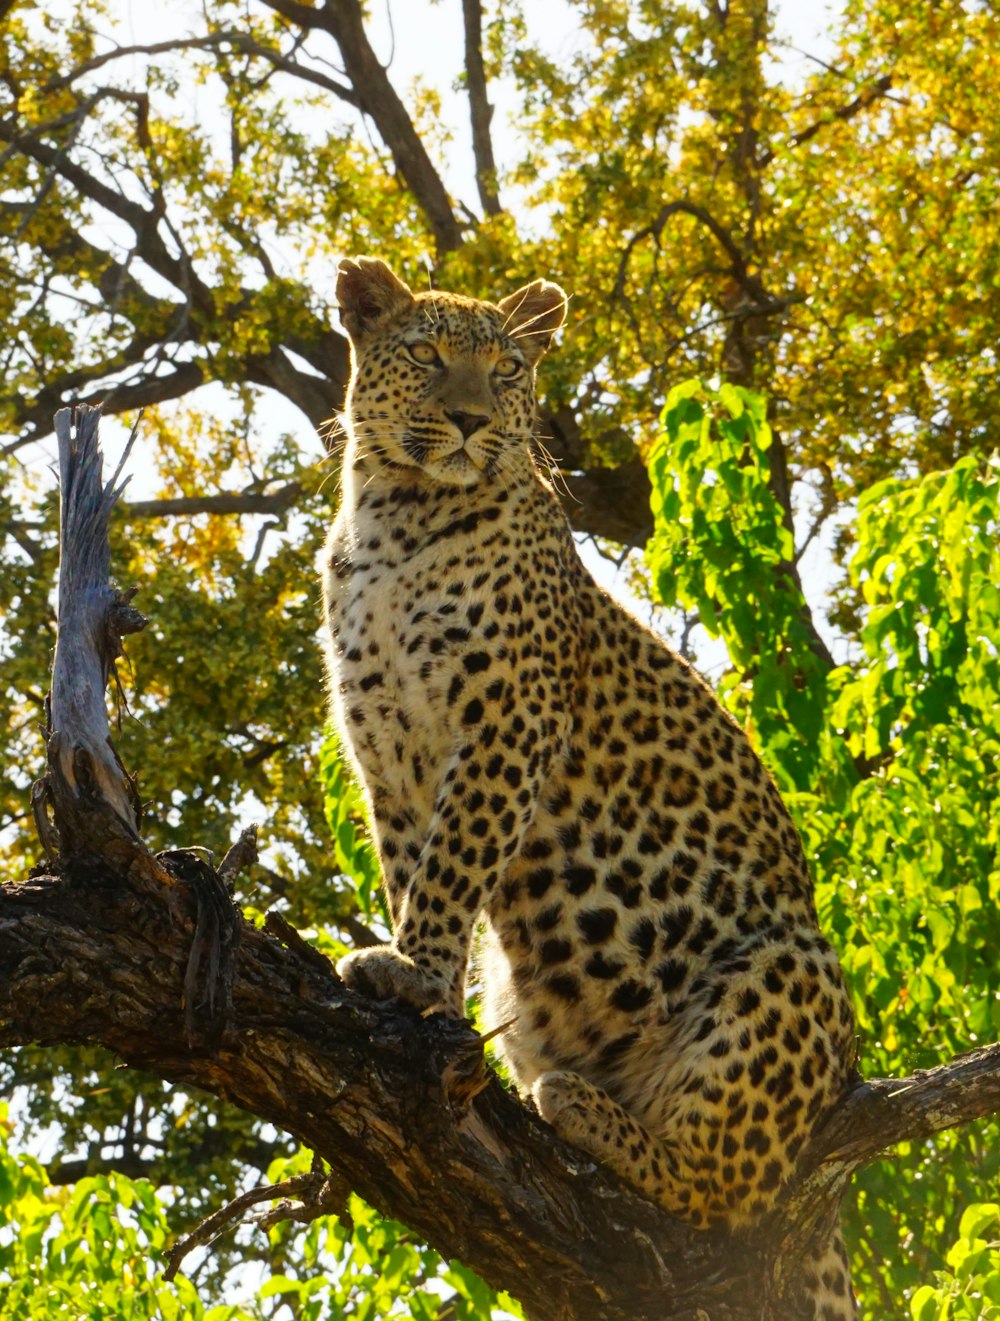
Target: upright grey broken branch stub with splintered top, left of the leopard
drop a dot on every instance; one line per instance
(84, 769)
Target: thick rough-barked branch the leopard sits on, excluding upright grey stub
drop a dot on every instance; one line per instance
(393, 1102)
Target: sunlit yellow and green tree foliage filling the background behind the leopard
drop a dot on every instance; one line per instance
(783, 338)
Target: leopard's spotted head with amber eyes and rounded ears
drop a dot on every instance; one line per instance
(441, 382)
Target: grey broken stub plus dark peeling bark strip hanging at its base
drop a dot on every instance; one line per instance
(87, 805)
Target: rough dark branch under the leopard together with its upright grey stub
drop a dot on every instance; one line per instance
(147, 958)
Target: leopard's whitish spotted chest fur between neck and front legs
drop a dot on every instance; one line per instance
(408, 582)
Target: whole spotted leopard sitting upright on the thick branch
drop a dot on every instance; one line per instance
(546, 780)
